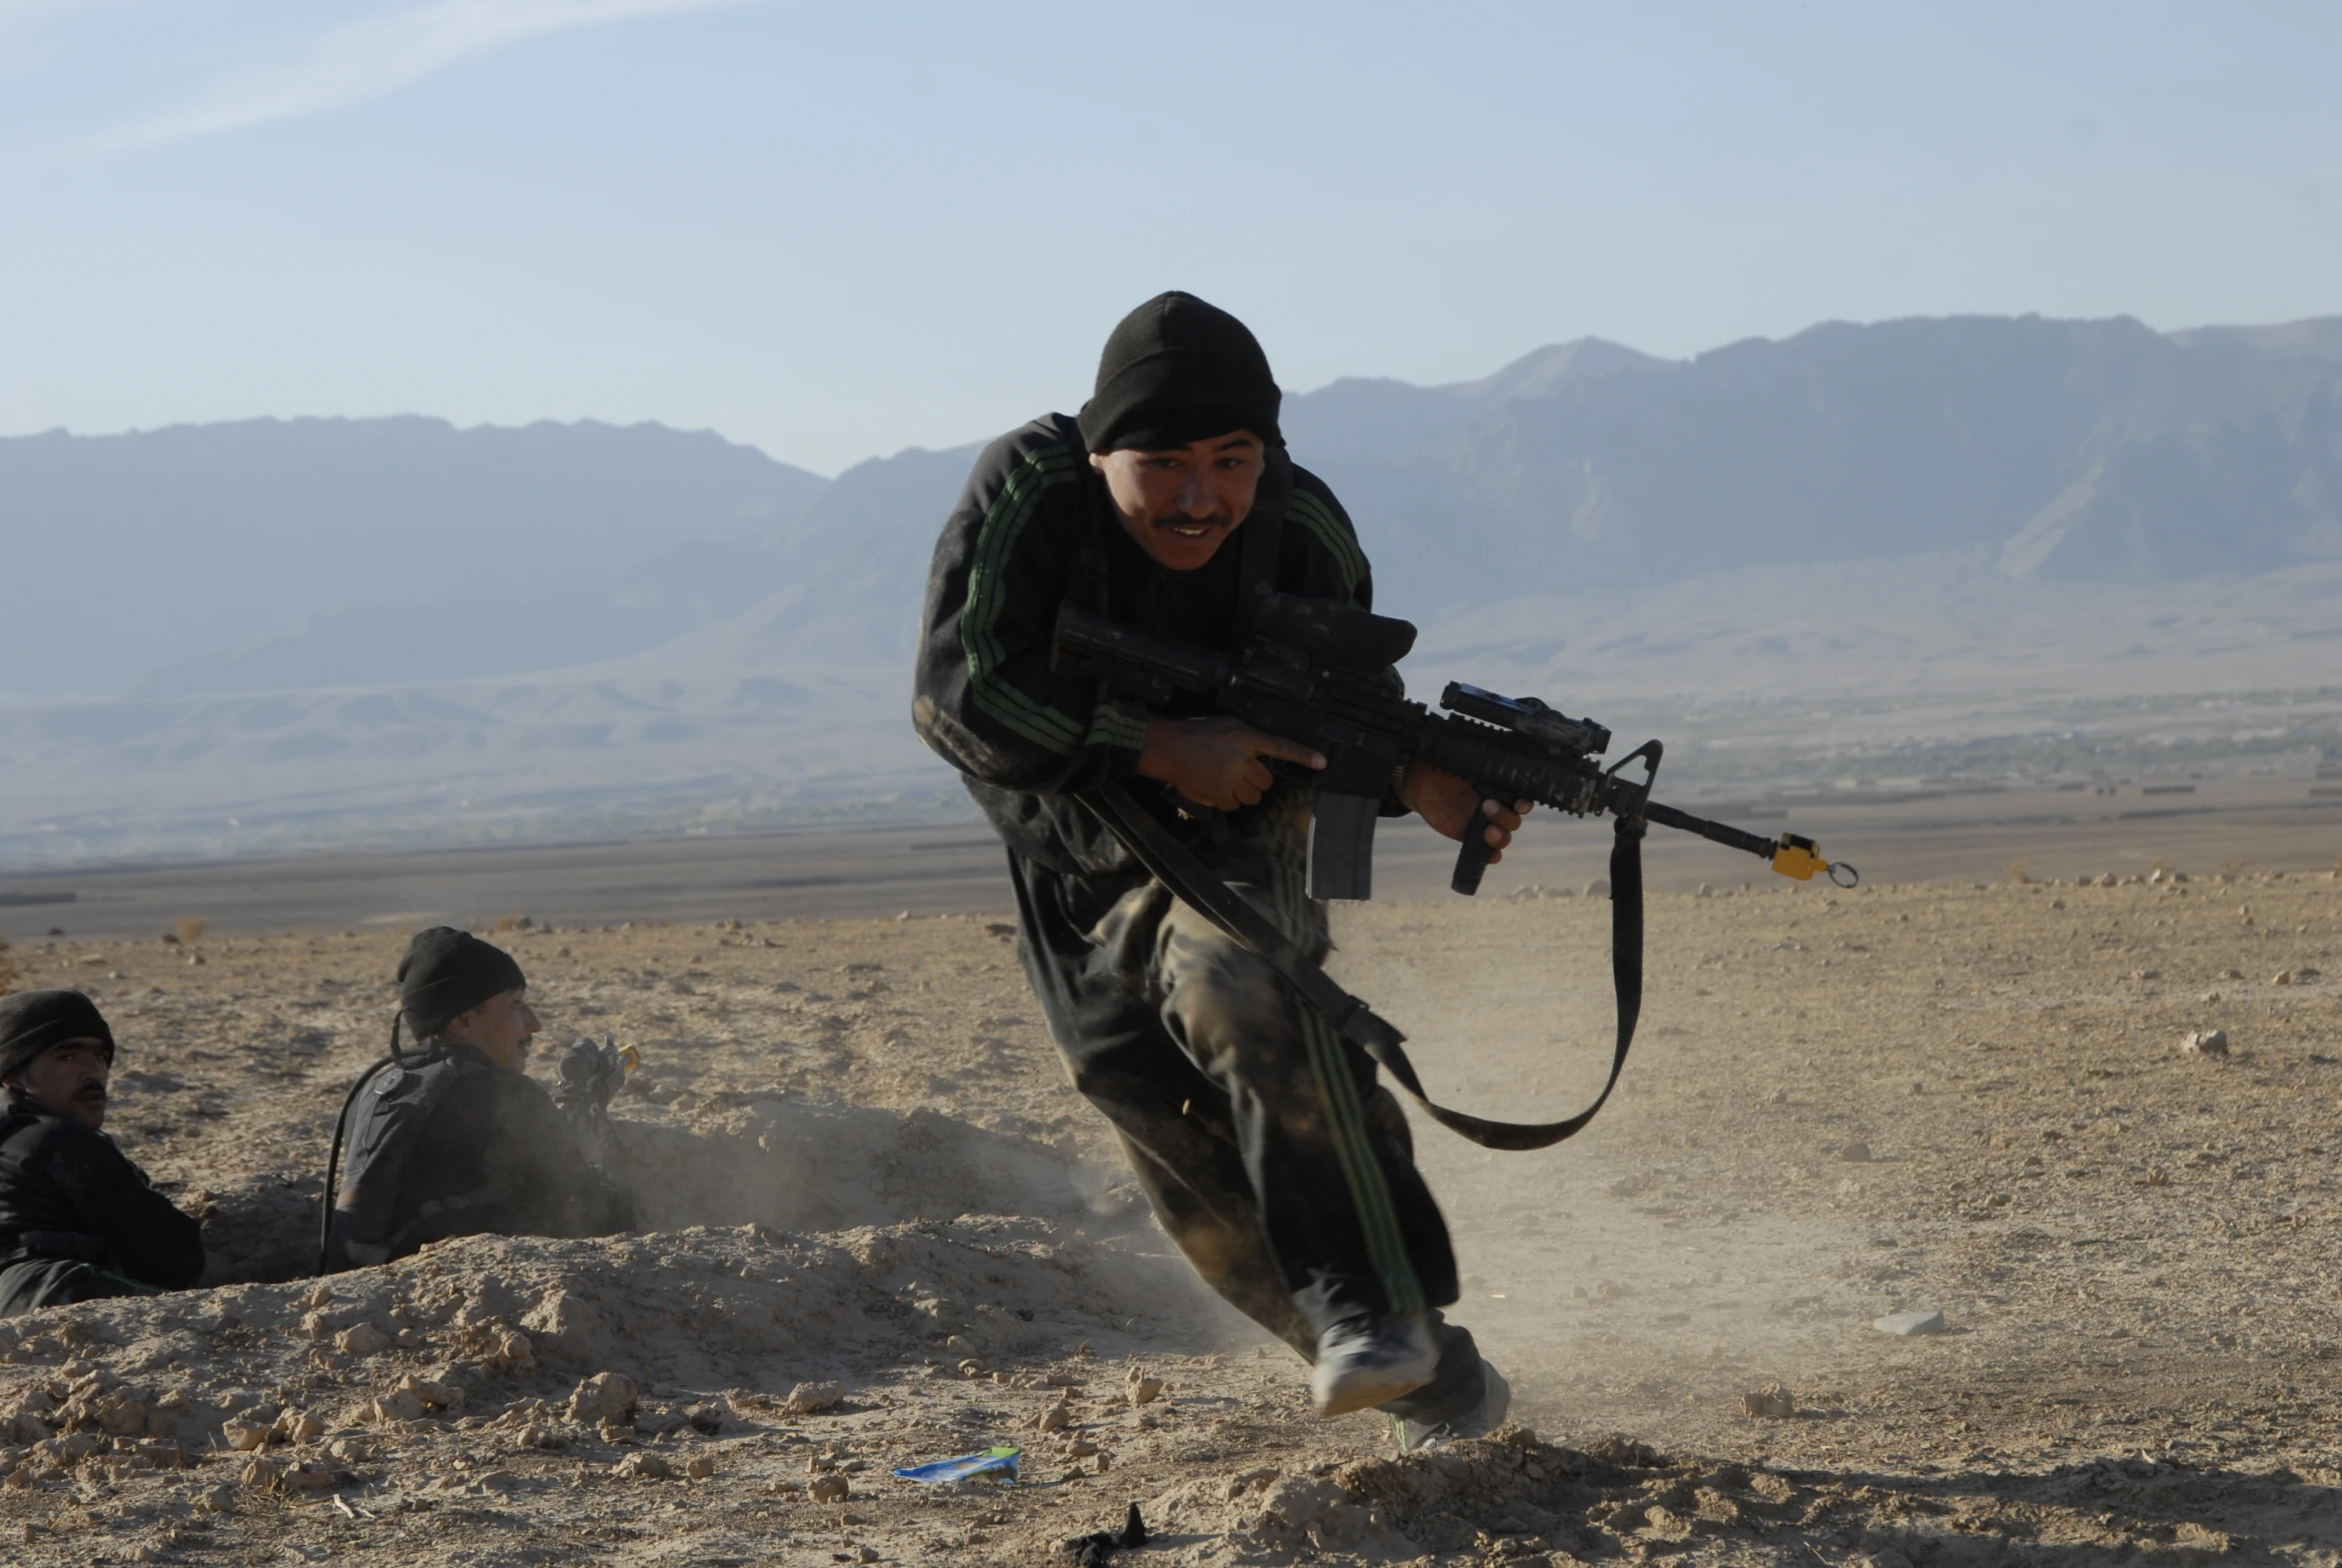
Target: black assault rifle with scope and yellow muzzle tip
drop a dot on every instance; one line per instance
(1320, 673)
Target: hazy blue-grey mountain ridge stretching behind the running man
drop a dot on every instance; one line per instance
(1957, 521)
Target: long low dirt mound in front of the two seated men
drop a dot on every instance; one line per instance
(516, 1316)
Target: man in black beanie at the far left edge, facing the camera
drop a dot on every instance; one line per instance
(76, 1218)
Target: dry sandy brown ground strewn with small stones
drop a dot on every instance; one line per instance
(863, 1167)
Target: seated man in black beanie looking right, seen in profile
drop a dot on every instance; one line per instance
(451, 1136)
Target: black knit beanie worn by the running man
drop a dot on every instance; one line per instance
(1179, 371)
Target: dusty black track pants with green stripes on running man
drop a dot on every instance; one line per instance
(1273, 1157)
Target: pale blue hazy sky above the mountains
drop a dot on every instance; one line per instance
(837, 231)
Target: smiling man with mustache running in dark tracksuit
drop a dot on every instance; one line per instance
(1273, 1157)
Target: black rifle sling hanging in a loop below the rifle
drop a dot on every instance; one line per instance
(1179, 869)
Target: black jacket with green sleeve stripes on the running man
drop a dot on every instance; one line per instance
(1036, 528)
